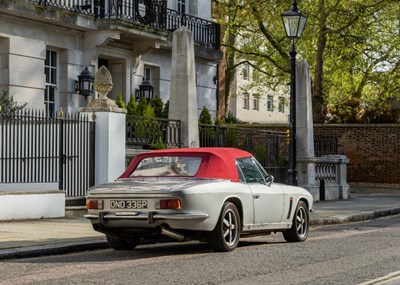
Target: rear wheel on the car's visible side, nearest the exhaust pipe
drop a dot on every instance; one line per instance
(226, 234)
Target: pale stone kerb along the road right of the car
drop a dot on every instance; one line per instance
(354, 217)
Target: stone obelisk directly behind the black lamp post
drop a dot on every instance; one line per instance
(304, 129)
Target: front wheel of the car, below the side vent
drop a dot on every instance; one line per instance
(299, 230)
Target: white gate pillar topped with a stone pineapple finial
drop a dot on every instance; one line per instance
(110, 130)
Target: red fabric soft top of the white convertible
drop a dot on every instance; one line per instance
(217, 162)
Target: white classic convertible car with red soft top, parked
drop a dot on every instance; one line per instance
(212, 194)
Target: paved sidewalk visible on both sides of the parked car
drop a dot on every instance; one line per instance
(55, 236)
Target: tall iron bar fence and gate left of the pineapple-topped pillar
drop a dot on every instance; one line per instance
(35, 148)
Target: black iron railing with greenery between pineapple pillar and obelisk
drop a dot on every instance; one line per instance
(153, 133)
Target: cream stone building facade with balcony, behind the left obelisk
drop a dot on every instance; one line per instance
(45, 45)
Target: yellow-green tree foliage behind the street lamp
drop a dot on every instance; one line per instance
(352, 47)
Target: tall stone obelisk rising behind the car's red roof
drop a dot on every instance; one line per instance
(183, 96)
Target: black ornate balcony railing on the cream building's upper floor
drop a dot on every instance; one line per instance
(145, 12)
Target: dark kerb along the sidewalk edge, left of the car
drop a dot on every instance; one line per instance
(53, 249)
